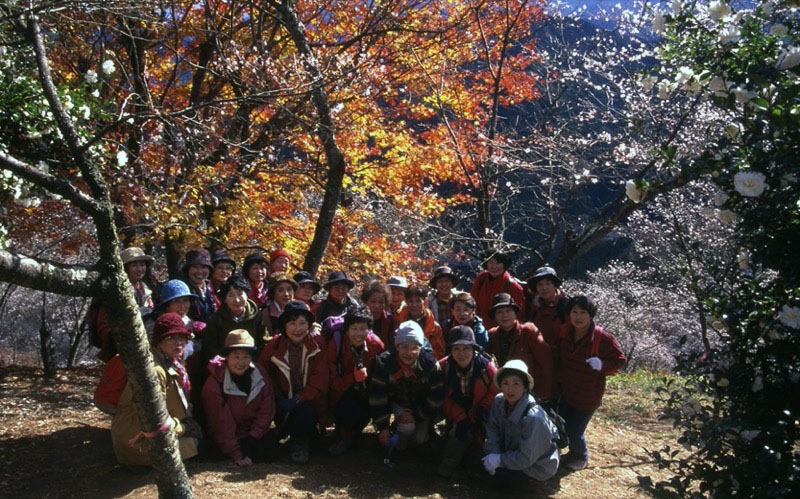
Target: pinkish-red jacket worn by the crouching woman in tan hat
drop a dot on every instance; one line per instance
(230, 414)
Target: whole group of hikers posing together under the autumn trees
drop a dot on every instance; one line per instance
(247, 359)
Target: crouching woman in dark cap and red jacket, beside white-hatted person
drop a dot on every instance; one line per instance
(469, 393)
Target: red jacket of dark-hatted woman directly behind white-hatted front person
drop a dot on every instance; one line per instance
(528, 345)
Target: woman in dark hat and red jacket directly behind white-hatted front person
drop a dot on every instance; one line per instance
(512, 340)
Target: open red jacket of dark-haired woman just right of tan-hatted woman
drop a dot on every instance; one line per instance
(275, 360)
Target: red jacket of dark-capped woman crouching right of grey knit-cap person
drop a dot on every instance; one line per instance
(483, 393)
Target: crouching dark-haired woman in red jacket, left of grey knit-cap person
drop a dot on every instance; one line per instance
(350, 355)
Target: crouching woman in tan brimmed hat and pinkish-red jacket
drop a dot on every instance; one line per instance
(239, 402)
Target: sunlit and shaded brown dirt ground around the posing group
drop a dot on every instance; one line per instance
(54, 443)
